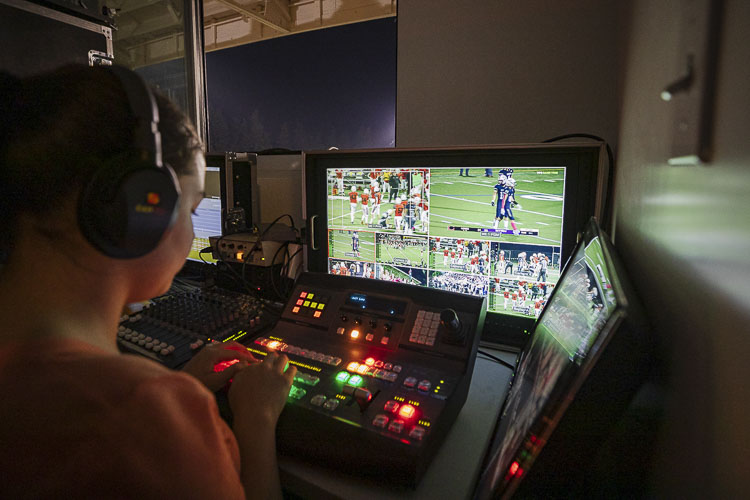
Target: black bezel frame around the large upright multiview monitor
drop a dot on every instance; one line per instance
(584, 194)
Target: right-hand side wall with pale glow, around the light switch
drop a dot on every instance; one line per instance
(685, 234)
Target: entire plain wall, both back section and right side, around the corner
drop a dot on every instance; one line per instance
(497, 72)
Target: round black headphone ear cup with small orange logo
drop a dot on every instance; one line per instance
(125, 211)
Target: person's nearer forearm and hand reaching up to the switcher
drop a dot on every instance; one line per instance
(257, 396)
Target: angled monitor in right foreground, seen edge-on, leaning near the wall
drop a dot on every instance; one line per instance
(587, 357)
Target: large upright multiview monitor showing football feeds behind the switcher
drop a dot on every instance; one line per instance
(495, 221)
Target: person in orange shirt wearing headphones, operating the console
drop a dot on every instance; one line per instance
(98, 178)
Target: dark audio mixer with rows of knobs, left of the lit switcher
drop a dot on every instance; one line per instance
(173, 328)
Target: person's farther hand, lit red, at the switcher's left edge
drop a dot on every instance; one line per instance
(202, 365)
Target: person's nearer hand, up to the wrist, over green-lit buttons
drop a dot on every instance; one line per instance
(259, 391)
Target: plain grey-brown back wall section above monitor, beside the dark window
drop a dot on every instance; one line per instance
(479, 72)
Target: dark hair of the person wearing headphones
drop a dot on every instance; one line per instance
(58, 128)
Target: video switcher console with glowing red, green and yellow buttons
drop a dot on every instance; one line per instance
(383, 370)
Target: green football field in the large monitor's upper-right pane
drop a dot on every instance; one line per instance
(465, 202)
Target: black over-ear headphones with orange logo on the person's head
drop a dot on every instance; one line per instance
(131, 201)
